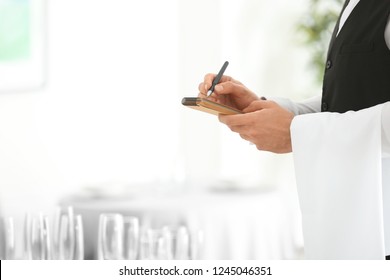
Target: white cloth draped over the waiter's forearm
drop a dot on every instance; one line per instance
(338, 162)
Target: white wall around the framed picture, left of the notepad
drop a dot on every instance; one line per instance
(111, 66)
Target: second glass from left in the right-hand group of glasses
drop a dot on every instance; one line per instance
(130, 238)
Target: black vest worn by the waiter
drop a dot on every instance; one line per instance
(357, 73)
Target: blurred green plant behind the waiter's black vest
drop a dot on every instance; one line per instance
(316, 28)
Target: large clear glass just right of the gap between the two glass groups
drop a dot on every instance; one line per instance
(111, 236)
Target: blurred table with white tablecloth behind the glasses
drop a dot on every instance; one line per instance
(241, 225)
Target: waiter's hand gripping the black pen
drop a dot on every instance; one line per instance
(229, 92)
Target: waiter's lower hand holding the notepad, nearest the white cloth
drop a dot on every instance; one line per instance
(265, 124)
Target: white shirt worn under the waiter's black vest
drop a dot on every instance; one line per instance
(313, 104)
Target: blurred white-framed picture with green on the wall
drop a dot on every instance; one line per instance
(22, 44)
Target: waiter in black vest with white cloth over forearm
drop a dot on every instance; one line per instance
(340, 140)
